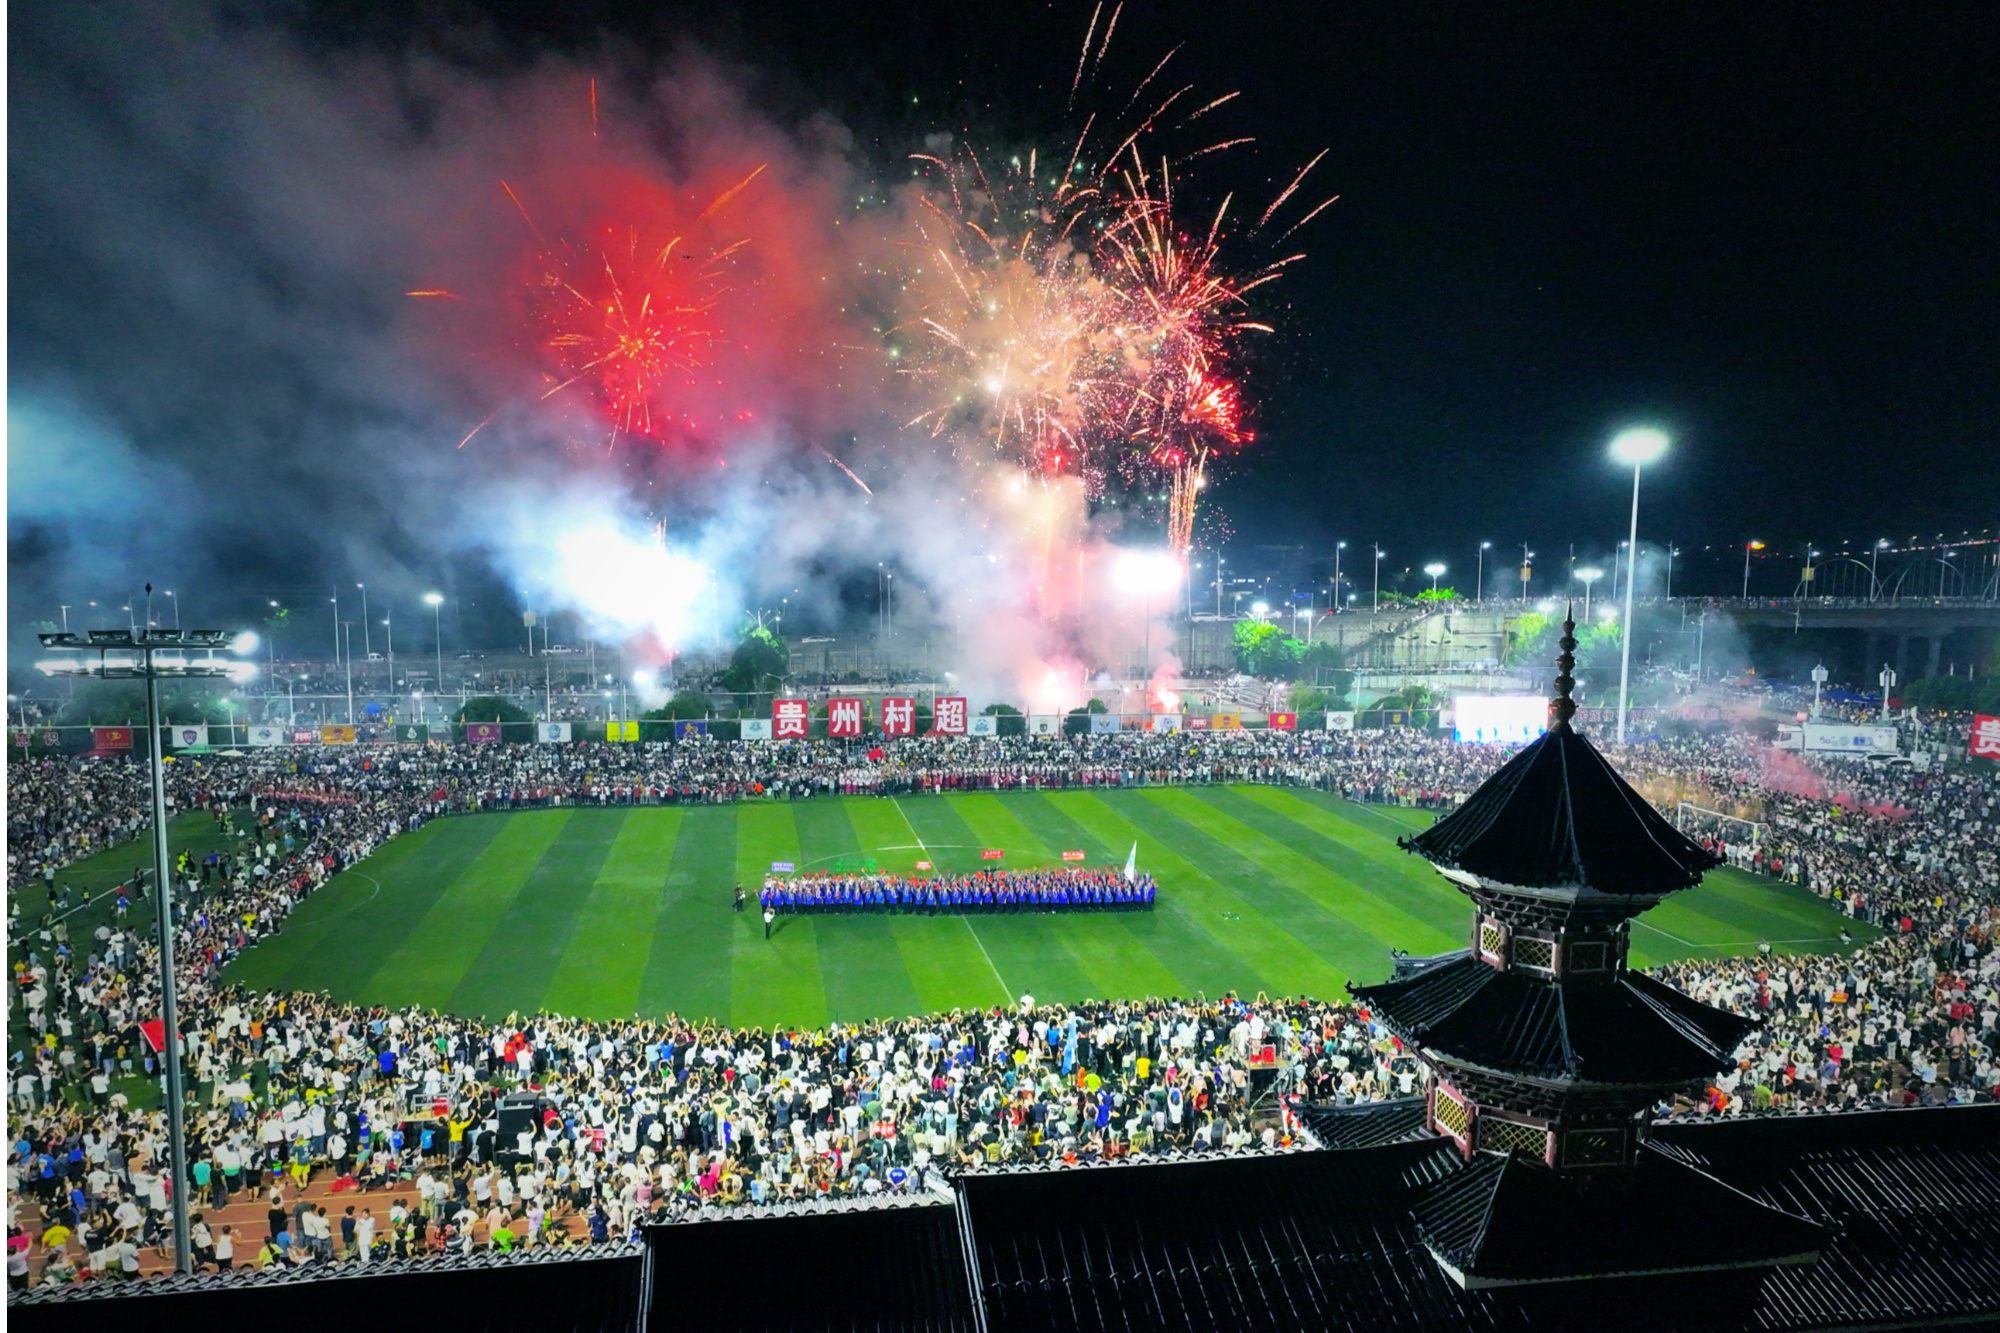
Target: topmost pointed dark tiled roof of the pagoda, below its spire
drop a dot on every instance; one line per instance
(1559, 818)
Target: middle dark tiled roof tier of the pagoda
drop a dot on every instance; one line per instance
(1627, 1032)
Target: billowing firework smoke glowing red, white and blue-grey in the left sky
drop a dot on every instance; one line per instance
(221, 375)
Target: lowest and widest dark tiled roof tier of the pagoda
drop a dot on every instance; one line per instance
(1505, 1222)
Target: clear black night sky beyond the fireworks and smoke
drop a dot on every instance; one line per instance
(1771, 231)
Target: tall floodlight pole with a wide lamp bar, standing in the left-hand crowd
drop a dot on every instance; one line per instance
(153, 655)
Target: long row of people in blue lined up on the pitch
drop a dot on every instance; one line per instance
(989, 892)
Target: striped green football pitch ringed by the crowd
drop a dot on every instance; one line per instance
(619, 912)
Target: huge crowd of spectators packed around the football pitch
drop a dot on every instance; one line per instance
(657, 1116)
